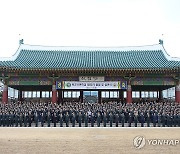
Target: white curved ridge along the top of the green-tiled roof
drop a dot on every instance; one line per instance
(153, 47)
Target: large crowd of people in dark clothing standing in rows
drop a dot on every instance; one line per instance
(75, 114)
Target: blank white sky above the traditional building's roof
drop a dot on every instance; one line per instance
(89, 23)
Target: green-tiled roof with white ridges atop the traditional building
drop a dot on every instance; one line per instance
(41, 57)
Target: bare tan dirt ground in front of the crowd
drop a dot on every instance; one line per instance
(85, 140)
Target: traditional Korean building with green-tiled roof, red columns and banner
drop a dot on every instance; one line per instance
(80, 73)
